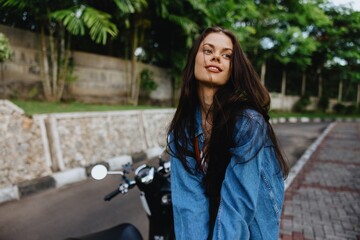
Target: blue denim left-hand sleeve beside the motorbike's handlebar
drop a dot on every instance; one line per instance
(190, 205)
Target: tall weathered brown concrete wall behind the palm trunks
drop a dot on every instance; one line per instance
(98, 78)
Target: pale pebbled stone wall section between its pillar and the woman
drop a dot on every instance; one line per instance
(82, 139)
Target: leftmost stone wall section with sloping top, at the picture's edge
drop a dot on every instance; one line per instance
(24, 151)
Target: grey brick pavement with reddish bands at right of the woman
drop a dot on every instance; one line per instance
(323, 201)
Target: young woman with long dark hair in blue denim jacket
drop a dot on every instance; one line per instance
(227, 171)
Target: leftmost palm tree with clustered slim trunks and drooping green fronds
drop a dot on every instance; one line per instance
(57, 20)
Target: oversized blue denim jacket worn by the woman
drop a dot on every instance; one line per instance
(252, 192)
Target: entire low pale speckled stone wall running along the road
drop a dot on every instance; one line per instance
(48, 144)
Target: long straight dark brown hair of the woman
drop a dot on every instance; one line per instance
(243, 90)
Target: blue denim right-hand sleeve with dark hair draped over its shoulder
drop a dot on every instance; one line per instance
(240, 188)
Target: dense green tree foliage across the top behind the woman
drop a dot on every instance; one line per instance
(310, 39)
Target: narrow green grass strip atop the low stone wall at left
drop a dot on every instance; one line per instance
(37, 107)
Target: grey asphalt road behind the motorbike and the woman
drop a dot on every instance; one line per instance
(79, 209)
